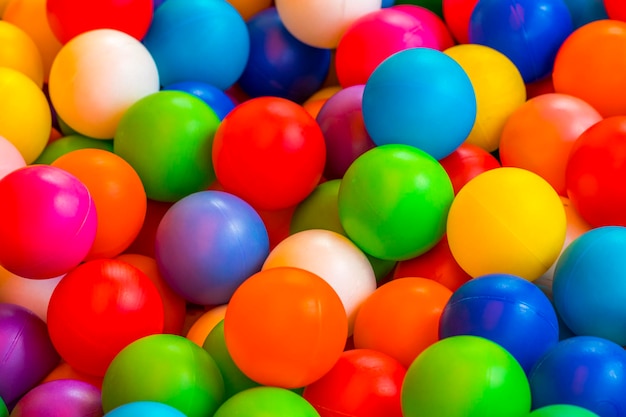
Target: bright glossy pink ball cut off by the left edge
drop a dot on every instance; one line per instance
(47, 222)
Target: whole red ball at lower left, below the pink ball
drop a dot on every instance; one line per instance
(90, 317)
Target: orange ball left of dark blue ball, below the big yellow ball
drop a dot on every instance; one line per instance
(401, 318)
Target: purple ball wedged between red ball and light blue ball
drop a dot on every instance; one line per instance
(341, 120)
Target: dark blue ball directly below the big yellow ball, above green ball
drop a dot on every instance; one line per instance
(505, 309)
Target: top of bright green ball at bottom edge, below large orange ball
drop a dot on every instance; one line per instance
(266, 401)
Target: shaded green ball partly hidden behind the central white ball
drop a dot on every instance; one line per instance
(320, 211)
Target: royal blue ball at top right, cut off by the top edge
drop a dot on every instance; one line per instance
(528, 32)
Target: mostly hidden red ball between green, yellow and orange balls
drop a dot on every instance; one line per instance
(437, 264)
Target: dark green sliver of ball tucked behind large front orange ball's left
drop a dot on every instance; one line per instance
(234, 380)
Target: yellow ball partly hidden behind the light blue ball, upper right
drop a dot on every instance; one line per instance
(499, 89)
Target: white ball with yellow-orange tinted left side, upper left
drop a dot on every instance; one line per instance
(97, 76)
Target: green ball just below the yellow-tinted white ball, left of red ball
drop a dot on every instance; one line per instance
(168, 138)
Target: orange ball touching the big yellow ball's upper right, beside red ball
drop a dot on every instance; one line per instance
(539, 135)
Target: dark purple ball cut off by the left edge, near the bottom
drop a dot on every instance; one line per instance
(26, 352)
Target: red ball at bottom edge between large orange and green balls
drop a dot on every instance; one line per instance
(362, 383)
